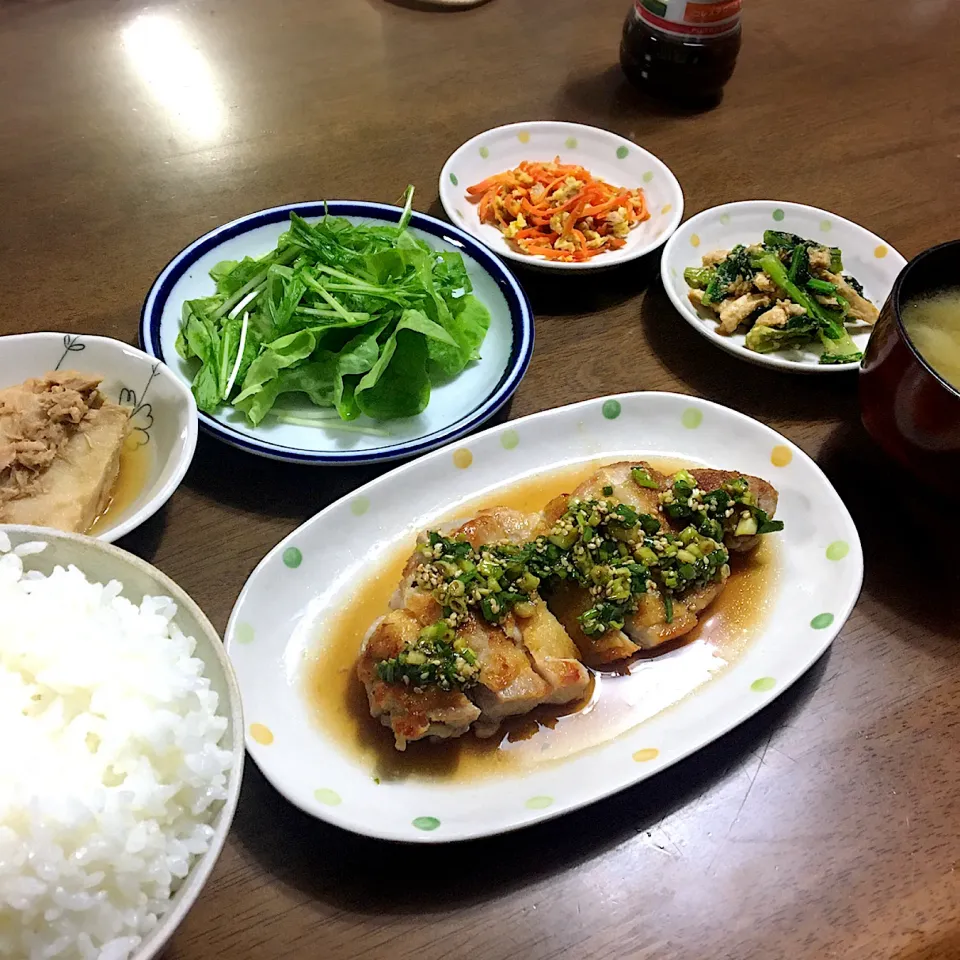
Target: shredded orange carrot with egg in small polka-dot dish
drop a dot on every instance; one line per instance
(558, 211)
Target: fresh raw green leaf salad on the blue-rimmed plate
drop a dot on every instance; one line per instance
(359, 318)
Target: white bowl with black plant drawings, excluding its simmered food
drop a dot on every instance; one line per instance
(164, 417)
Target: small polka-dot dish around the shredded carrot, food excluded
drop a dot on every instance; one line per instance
(606, 155)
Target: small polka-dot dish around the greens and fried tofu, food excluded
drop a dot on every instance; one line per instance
(871, 260)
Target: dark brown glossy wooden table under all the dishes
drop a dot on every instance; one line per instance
(825, 827)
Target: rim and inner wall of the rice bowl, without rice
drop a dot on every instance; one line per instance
(103, 562)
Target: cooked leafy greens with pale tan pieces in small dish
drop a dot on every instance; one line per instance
(786, 292)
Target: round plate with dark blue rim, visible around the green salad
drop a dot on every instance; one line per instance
(455, 409)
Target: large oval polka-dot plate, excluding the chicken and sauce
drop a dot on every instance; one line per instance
(288, 607)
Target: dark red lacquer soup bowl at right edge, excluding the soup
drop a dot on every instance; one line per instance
(909, 409)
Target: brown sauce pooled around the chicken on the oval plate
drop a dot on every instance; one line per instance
(618, 701)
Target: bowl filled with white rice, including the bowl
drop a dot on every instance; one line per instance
(122, 750)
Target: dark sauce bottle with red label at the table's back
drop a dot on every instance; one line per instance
(681, 50)
